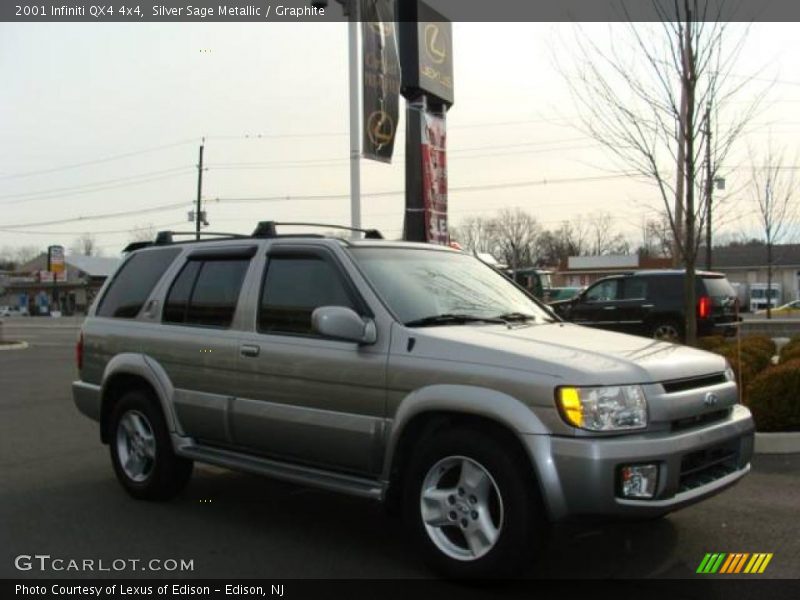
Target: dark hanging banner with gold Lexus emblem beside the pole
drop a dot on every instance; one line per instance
(380, 79)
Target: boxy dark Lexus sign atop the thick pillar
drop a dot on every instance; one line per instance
(427, 60)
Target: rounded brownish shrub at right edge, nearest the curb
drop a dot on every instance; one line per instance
(773, 396)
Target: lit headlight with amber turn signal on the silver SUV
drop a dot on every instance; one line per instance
(611, 408)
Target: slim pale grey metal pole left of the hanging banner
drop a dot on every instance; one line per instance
(350, 9)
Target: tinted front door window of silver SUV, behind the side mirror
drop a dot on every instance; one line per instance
(293, 288)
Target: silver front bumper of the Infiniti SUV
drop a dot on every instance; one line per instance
(579, 476)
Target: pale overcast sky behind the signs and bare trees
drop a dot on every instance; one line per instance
(130, 103)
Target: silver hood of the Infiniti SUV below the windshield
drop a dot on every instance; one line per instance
(576, 354)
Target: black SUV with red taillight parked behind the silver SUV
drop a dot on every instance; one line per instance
(651, 303)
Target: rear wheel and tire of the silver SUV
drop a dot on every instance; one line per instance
(141, 449)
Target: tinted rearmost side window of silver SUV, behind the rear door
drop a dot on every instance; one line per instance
(133, 283)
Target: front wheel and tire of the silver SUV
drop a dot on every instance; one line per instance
(471, 505)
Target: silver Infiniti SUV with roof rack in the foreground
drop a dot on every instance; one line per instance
(407, 373)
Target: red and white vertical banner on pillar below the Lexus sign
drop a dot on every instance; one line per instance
(434, 177)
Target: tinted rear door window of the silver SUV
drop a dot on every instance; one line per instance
(205, 293)
